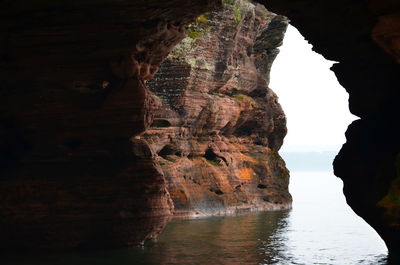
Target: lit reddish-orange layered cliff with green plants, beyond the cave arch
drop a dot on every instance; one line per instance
(218, 129)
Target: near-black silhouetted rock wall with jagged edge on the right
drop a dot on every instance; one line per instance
(363, 37)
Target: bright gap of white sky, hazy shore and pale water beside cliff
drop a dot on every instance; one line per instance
(316, 107)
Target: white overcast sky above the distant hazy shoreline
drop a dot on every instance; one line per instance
(315, 104)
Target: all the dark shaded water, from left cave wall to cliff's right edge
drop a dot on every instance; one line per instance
(226, 240)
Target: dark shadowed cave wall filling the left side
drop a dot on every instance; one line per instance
(73, 98)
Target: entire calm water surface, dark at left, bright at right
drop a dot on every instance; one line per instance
(321, 229)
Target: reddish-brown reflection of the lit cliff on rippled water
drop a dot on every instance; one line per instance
(221, 240)
